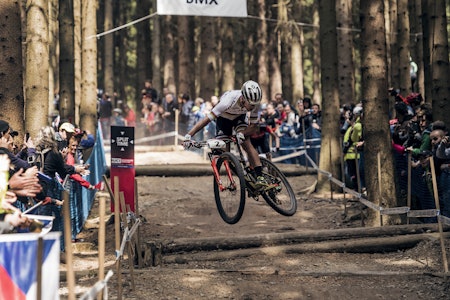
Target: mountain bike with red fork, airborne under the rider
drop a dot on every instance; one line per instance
(233, 177)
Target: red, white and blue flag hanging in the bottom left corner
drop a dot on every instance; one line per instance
(18, 266)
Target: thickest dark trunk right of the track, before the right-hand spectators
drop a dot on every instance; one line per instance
(376, 133)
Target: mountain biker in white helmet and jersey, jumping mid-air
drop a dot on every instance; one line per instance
(232, 113)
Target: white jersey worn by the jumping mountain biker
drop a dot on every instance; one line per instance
(230, 108)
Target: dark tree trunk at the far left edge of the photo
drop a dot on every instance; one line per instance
(11, 83)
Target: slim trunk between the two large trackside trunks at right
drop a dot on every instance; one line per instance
(345, 51)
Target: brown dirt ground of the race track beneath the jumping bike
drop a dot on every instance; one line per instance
(181, 210)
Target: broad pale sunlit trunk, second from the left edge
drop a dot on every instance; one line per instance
(37, 60)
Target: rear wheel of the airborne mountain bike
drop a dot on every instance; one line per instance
(281, 197)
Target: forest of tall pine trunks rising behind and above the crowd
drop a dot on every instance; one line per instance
(335, 51)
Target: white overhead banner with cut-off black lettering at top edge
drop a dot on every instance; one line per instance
(213, 8)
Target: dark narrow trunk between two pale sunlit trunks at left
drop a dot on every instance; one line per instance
(66, 61)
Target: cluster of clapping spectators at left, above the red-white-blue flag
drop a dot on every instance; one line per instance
(34, 171)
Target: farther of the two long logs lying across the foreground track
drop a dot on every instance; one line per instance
(260, 240)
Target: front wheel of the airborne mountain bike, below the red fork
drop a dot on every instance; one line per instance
(230, 201)
